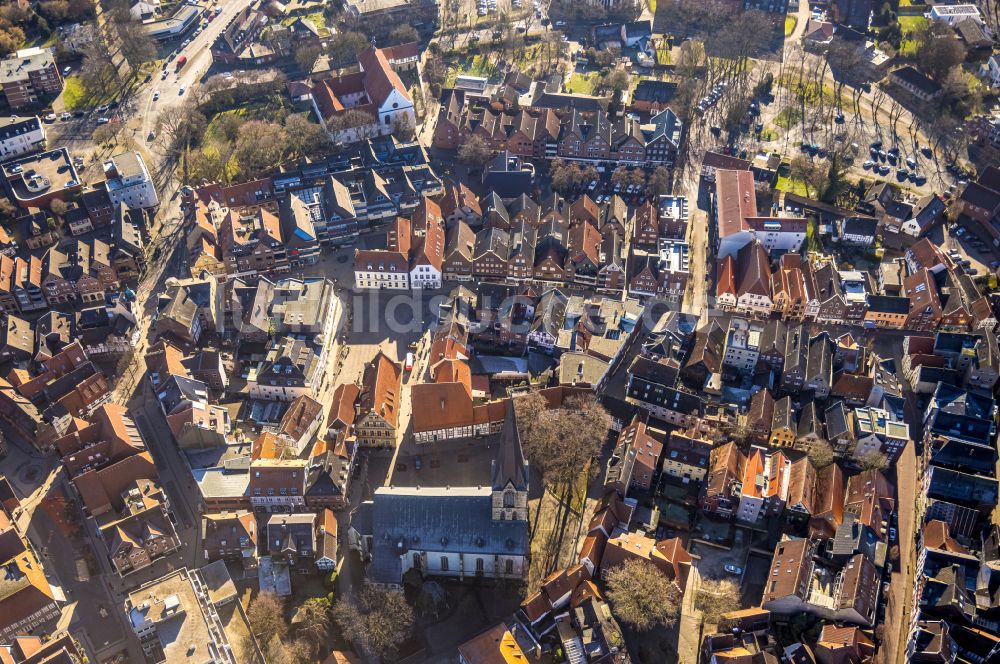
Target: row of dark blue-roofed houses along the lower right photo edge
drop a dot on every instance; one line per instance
(956, 613)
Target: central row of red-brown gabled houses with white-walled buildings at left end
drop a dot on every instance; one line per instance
(605, 247)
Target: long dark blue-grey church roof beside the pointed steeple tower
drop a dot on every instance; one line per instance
(456, 520)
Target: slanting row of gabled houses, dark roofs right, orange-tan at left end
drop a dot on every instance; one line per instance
(272, 224)
